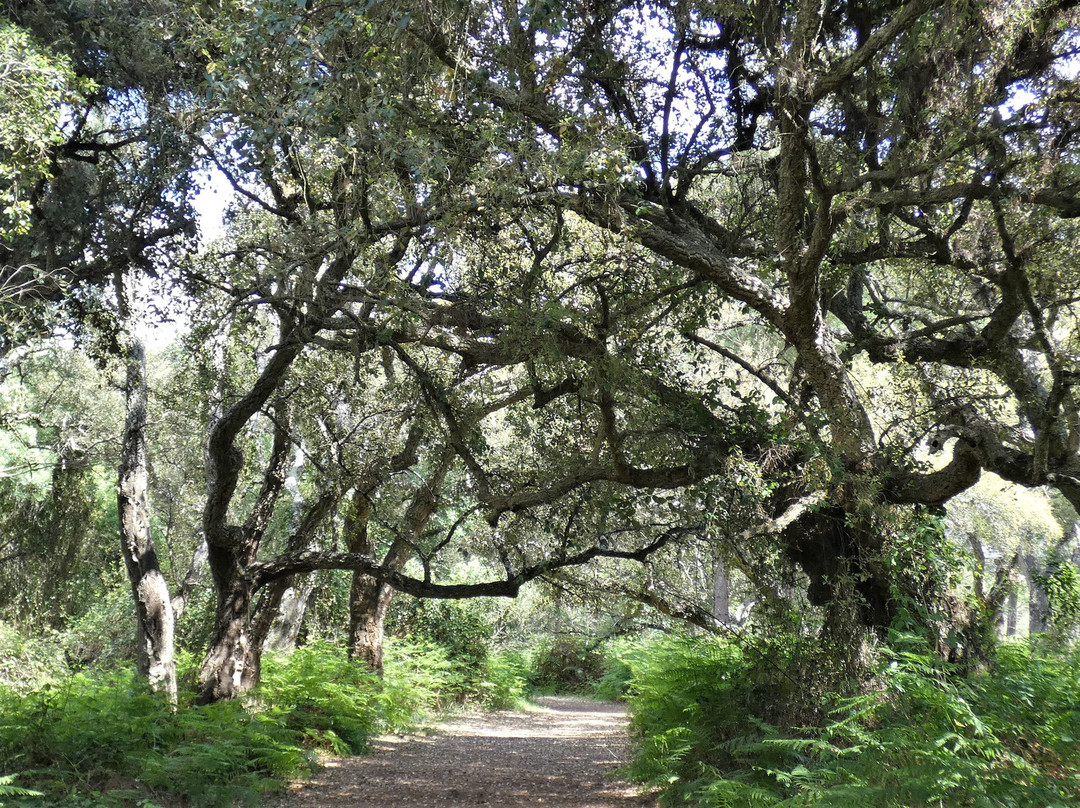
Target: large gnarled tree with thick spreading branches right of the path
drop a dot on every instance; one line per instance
(862, 180)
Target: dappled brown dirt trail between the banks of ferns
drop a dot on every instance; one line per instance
(560, 757)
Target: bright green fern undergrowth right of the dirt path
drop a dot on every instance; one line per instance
(922, 735)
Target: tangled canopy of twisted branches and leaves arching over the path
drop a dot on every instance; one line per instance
(550, 284)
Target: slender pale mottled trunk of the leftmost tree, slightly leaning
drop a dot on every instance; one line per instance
(155, 618)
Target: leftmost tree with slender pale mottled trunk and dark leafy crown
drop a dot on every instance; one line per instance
(106, 209)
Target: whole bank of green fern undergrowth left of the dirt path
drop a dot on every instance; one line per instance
(103, 739)
